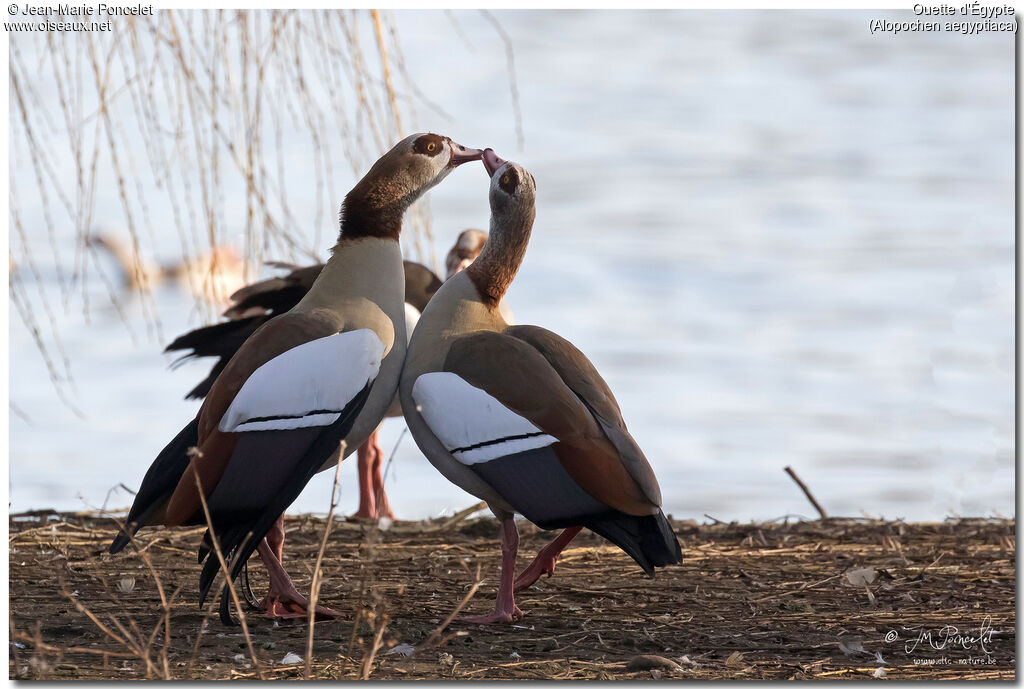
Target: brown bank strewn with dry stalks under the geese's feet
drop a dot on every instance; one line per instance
(836, 599)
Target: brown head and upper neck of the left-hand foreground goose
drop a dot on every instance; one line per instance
(415, 165)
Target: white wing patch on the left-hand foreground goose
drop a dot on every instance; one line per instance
(309, 385)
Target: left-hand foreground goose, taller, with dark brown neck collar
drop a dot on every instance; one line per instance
(306, 385)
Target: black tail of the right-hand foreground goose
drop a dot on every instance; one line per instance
(650, 540)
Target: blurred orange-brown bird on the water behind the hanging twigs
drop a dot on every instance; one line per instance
(212, 276)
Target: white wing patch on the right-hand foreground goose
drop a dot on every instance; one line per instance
(472, 424)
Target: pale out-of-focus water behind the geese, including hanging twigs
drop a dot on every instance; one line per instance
(783, 241)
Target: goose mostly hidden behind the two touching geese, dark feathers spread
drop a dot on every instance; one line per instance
(255, 305)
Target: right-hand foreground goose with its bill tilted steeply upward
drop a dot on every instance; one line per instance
(520, 418)
